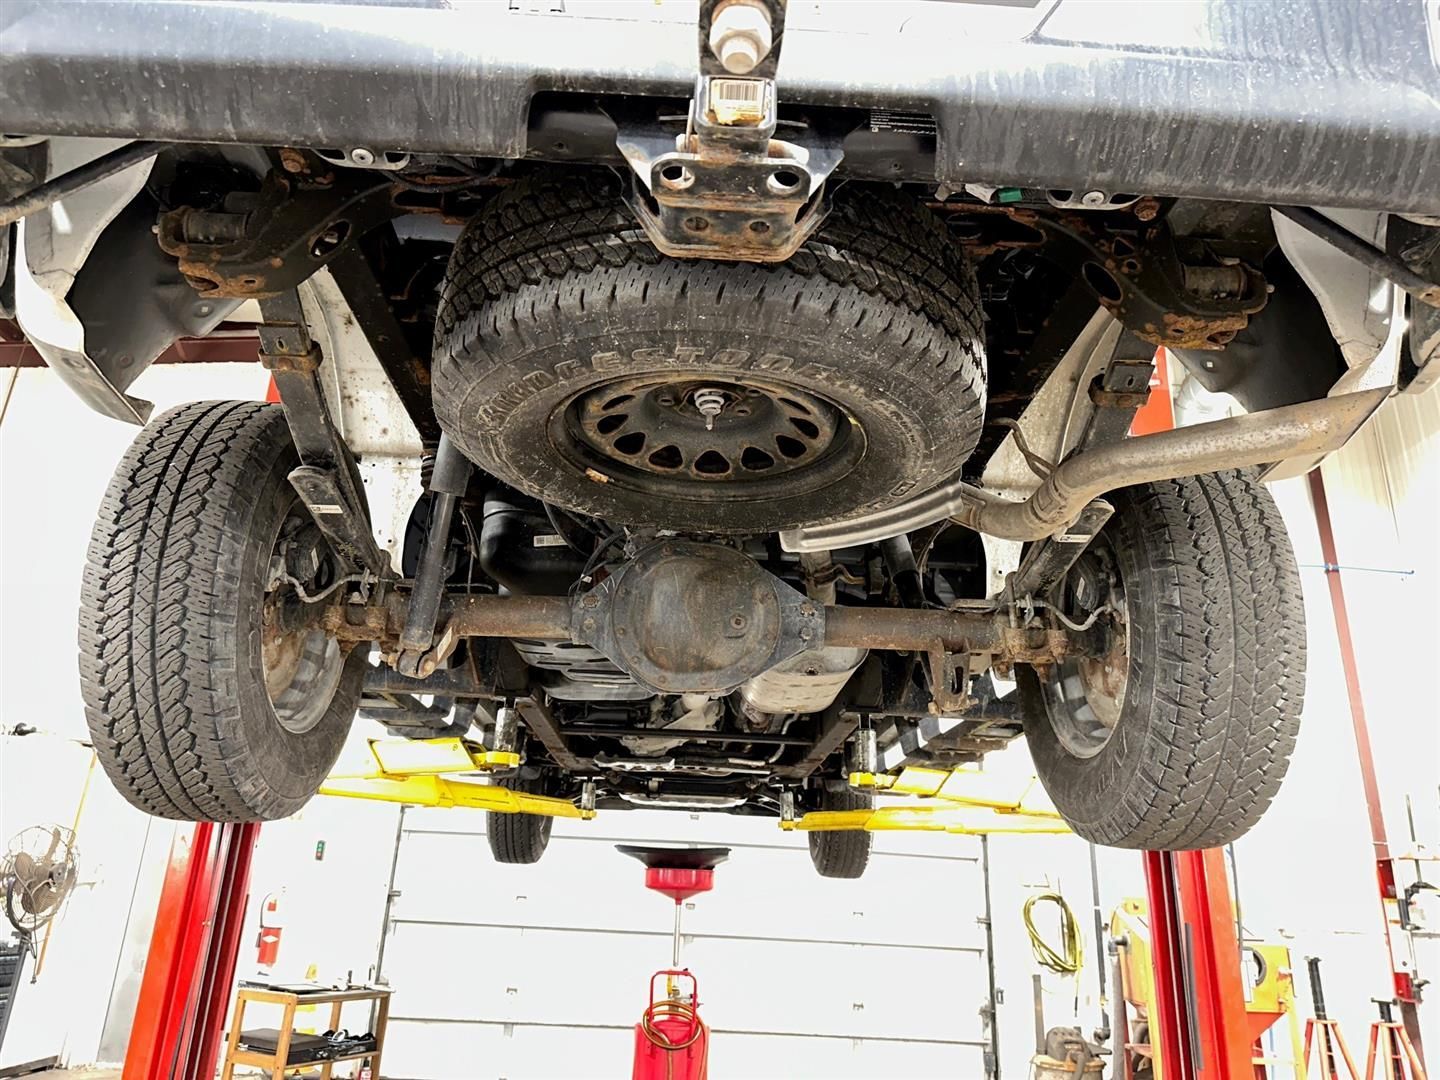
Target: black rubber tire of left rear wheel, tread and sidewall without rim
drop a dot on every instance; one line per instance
(171, 624)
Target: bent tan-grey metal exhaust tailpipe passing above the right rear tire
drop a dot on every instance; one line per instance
(1261, 438)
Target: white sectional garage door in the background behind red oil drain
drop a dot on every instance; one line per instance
(538, 973)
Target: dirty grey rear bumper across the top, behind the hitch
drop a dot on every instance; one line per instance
(1331, 103)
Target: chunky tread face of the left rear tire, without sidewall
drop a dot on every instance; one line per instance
(158, 662)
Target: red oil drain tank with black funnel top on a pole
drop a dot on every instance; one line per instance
(672, 1042)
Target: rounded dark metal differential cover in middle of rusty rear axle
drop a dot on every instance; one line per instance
(696, 618)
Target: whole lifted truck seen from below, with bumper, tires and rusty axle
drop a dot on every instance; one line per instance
(721, 427)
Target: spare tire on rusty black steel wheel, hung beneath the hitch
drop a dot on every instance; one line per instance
(582, 366)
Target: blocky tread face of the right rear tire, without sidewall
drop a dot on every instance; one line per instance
(1230, 663)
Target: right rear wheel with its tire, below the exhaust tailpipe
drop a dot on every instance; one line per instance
(1190, 742)
